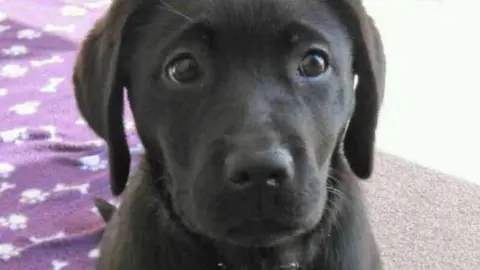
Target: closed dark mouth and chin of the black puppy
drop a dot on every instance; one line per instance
(260, 232)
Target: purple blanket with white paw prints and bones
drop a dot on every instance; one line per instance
(51, 164)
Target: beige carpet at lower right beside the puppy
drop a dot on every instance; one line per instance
(424, 219)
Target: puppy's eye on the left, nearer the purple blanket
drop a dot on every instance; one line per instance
(184, 70)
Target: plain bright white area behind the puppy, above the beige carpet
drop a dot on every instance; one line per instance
(432, 107)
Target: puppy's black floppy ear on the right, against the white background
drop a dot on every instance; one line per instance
(370, 67)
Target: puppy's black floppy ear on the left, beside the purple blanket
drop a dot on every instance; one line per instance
(98, 85)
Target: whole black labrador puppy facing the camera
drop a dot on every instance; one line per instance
(255, 133)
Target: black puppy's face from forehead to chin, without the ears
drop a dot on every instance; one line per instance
(245, 103)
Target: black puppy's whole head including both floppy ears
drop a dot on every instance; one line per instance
(240, 104)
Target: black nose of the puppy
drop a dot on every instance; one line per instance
(270, 168)
